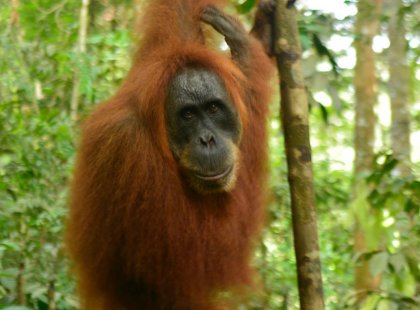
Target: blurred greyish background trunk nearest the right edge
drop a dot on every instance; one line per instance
(398, 87)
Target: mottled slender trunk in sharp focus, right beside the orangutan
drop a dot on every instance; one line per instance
(294, 112)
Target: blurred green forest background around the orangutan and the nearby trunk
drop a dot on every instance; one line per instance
(361, 60)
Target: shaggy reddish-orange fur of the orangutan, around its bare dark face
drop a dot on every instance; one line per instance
(139, 237)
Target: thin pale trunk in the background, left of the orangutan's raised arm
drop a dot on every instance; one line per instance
(81, 50)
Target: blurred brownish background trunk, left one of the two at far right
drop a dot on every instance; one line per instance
(365, 85)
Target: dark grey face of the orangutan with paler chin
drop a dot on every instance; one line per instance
(203, 130)
